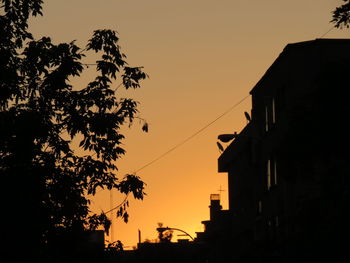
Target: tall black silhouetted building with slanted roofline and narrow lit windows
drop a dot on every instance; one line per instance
(289, 168)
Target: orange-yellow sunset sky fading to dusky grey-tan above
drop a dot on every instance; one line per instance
(202, 57)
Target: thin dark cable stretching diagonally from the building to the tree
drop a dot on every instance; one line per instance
(193, 135)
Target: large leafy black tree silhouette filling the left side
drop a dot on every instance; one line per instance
(58, 144)
